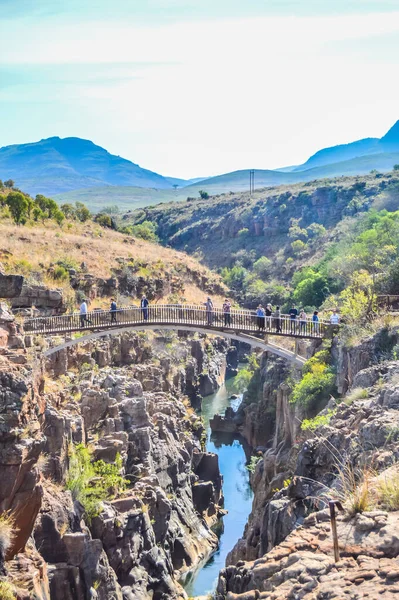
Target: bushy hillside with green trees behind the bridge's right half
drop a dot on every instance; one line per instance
(319, 244)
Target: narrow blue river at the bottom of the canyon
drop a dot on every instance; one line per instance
(236, 490)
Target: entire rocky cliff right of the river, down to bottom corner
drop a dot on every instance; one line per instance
(354, 448)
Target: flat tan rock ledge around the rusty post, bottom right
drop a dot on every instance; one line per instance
(303, 565)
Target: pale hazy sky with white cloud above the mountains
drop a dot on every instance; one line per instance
(199, 87)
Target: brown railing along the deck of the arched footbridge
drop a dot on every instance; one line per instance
(174, 314)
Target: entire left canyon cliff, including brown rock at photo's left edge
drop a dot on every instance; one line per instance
(124, 398)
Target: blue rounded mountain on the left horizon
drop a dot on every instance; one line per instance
(56, 165)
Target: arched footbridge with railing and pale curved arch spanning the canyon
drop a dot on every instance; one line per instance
(241, 325)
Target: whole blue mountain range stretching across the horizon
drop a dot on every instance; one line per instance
(73, 167)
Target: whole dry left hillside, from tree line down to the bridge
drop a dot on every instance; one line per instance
(84, 252)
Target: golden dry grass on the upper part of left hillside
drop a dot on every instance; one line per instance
(34, 247)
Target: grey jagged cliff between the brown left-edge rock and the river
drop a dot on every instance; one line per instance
(123, 396)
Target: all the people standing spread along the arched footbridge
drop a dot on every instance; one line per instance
(266, 318)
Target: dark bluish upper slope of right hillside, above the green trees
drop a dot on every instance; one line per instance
(211, 227)
